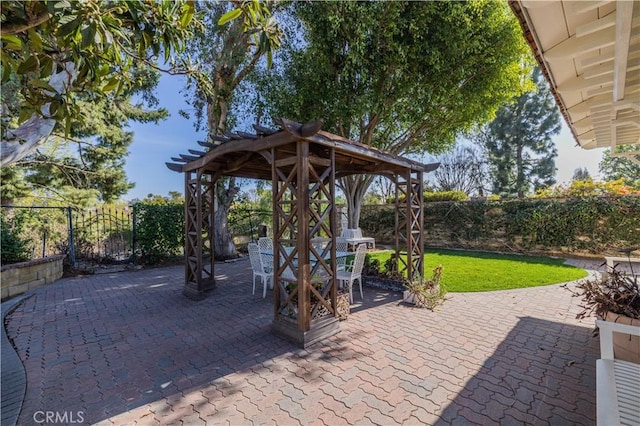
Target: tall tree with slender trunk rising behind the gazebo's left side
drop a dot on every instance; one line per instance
(227, 53)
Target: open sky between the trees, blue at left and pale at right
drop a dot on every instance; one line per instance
(155, 144)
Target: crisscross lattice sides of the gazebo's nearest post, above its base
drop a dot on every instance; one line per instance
(304, 210)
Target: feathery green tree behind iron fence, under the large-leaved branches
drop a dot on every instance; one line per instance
(89, 161)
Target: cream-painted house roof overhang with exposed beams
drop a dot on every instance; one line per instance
(589, 52)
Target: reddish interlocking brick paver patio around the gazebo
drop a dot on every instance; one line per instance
(128, 348)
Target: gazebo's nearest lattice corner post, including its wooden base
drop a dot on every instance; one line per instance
(305, 304)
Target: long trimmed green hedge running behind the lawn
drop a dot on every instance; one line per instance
(592, 225)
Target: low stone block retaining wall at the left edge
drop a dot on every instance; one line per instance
(18, 278)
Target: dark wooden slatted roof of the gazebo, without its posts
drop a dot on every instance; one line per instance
(247, 155)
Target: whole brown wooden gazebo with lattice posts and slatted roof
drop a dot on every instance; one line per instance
(303, 163)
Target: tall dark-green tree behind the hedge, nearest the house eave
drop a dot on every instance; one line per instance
(518, 142)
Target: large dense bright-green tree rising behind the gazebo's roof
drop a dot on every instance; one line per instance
(406, 77)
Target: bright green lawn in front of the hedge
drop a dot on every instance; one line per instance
(478, 271)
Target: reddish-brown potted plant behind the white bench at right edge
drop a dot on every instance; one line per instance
(613, 296)
